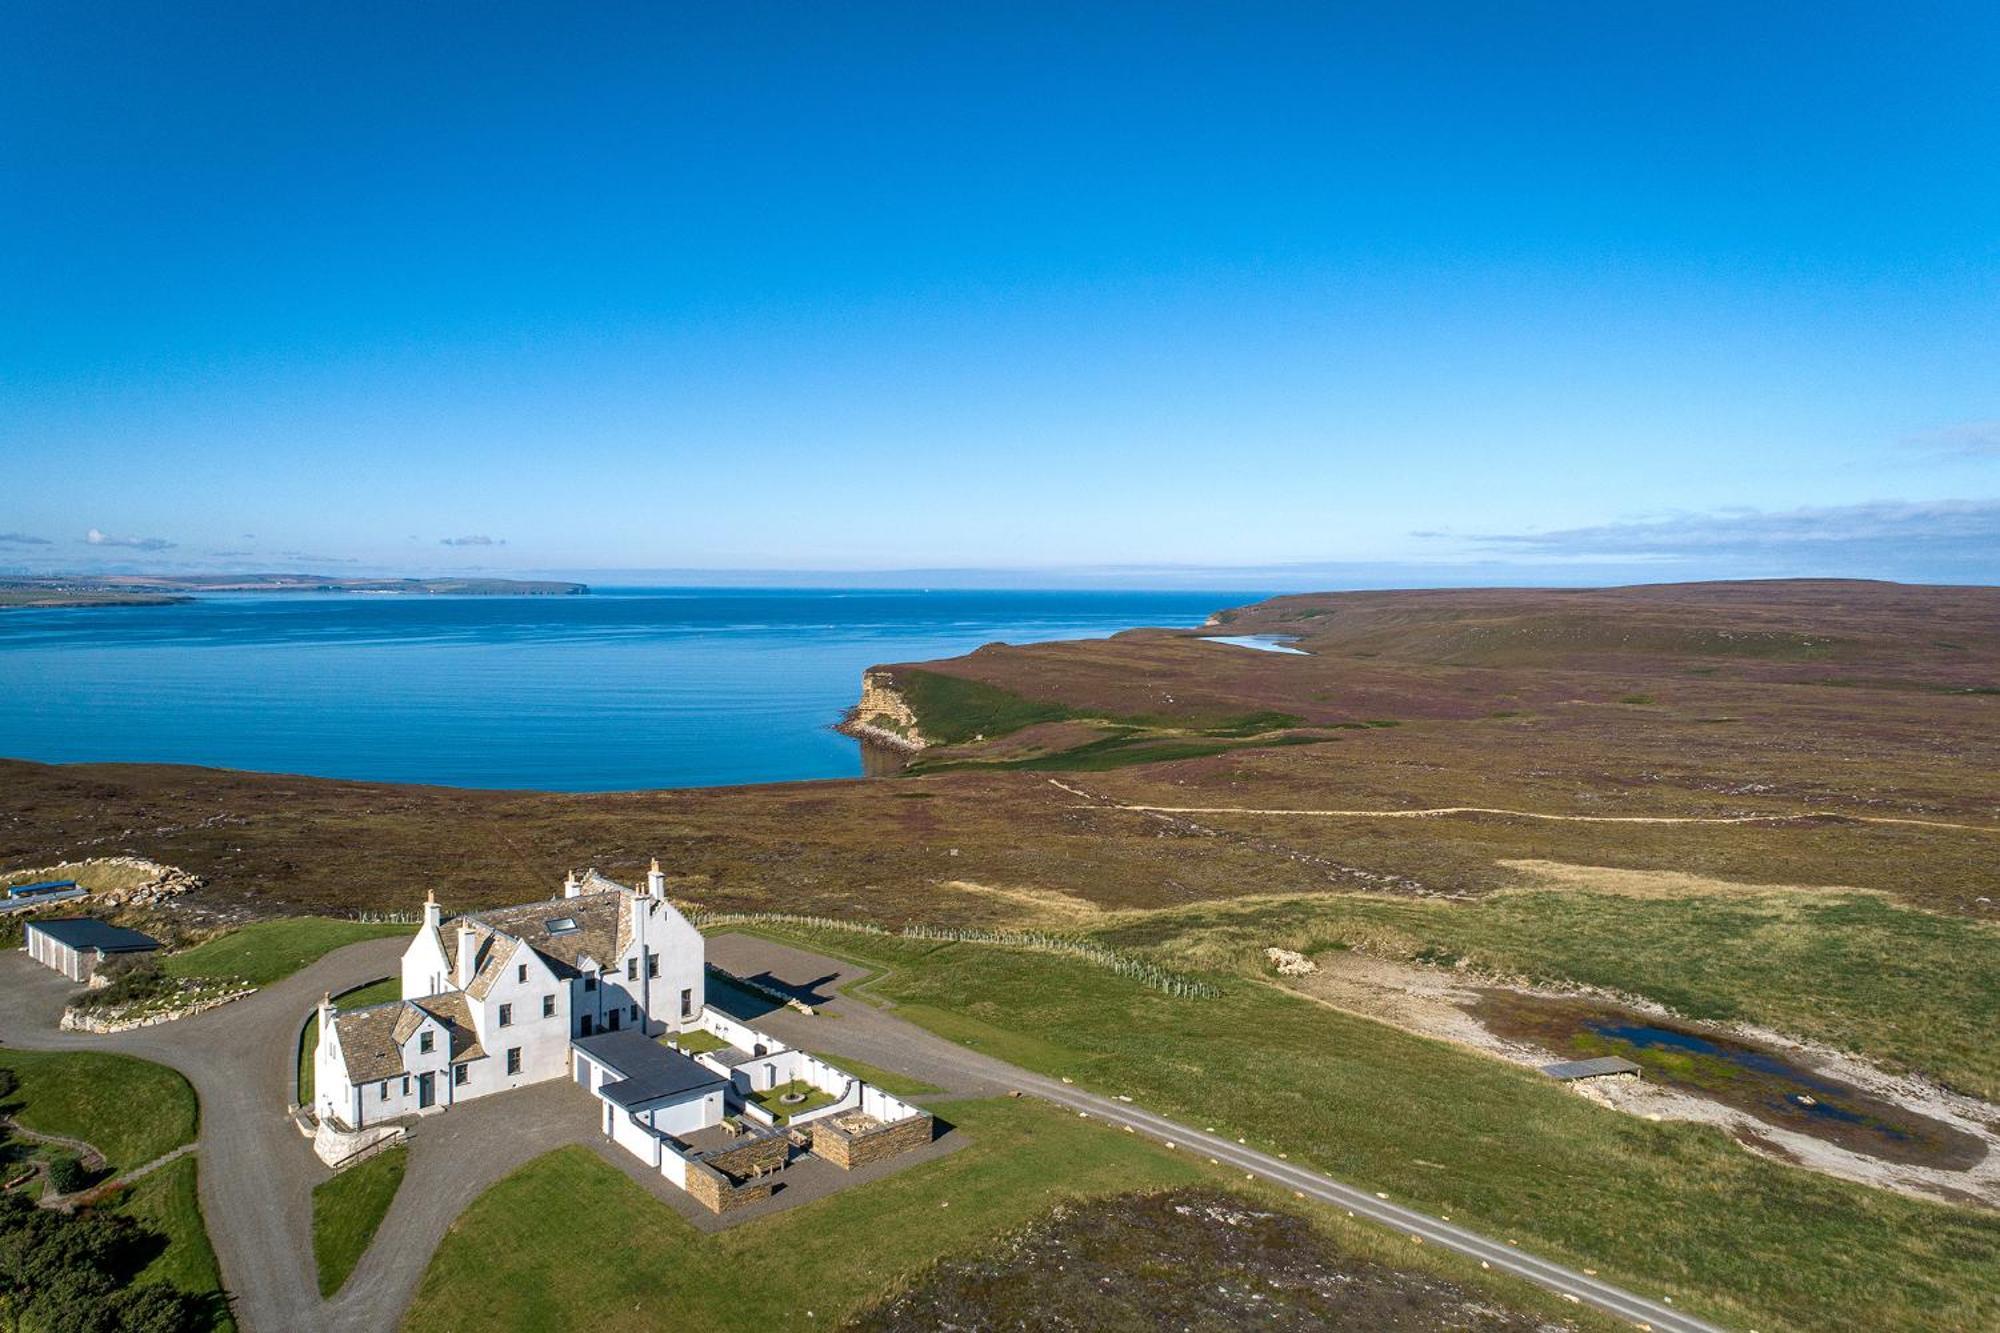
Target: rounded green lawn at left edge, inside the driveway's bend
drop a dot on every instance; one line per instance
(125, 1108)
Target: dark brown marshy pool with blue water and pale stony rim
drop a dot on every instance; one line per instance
(1765, 1084)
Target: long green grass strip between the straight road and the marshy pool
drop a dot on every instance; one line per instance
(1669, 1210)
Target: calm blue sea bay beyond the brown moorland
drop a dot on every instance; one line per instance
(621, 690)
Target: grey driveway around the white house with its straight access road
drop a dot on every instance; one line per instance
(259, 1172)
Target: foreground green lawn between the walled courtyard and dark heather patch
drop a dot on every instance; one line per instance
(821, 1262)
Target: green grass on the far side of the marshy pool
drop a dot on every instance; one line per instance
(1905, 988)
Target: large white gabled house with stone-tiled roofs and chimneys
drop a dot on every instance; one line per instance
(493, 1000)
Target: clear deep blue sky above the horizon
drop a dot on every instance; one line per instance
(1151, 293)
